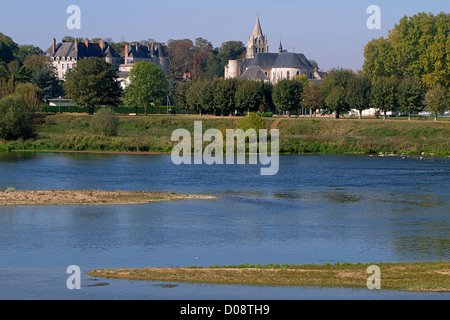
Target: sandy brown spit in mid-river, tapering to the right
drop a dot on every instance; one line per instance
(11, 197)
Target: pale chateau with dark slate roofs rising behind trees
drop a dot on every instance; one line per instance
(65, 55)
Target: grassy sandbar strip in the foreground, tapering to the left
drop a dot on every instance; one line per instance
(419, 277)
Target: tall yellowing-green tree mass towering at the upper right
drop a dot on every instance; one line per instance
(417, 47)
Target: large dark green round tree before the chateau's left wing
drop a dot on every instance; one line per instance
(93, 83)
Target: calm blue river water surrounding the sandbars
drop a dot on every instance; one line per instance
(317, 209)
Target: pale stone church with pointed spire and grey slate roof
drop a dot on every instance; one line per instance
(260, 64)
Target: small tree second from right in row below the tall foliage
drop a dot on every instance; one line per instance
(411, 96)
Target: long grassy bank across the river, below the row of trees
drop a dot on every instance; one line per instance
(71, 132)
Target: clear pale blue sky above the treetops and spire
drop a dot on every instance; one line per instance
(331, 32)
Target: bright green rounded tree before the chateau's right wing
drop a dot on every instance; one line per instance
(147, 86)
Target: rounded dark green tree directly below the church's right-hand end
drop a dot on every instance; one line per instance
(287, 95)
